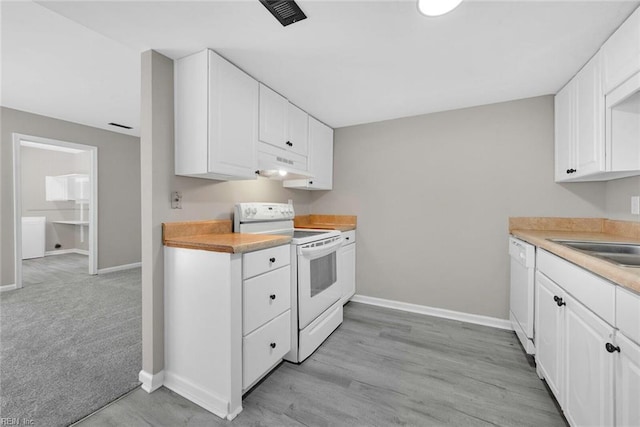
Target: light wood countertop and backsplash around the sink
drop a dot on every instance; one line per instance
(615, 231)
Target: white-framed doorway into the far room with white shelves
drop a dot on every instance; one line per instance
(76, 191)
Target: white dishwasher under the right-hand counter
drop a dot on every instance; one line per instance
(523, 264)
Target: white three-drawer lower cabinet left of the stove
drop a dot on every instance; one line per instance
(224, 332)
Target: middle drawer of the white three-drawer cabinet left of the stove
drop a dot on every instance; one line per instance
(264, 297)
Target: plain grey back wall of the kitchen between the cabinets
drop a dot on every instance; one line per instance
(433, 195)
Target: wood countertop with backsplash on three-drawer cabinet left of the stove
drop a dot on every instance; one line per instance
(216, 236)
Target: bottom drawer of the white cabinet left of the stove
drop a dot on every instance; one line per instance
(265, 347)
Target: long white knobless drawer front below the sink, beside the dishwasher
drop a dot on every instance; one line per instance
(597, 294)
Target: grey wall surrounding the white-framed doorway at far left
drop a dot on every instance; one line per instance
(118, 185)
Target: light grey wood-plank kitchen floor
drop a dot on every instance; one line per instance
(381, 367)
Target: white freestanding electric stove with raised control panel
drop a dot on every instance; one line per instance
(316, 310)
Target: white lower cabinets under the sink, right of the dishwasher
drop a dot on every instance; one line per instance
(591, 367)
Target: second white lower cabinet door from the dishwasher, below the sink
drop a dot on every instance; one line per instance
(588, 397)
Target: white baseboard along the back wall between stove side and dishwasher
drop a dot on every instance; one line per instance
(477, 319)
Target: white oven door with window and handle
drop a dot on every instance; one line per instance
(318, 286)
